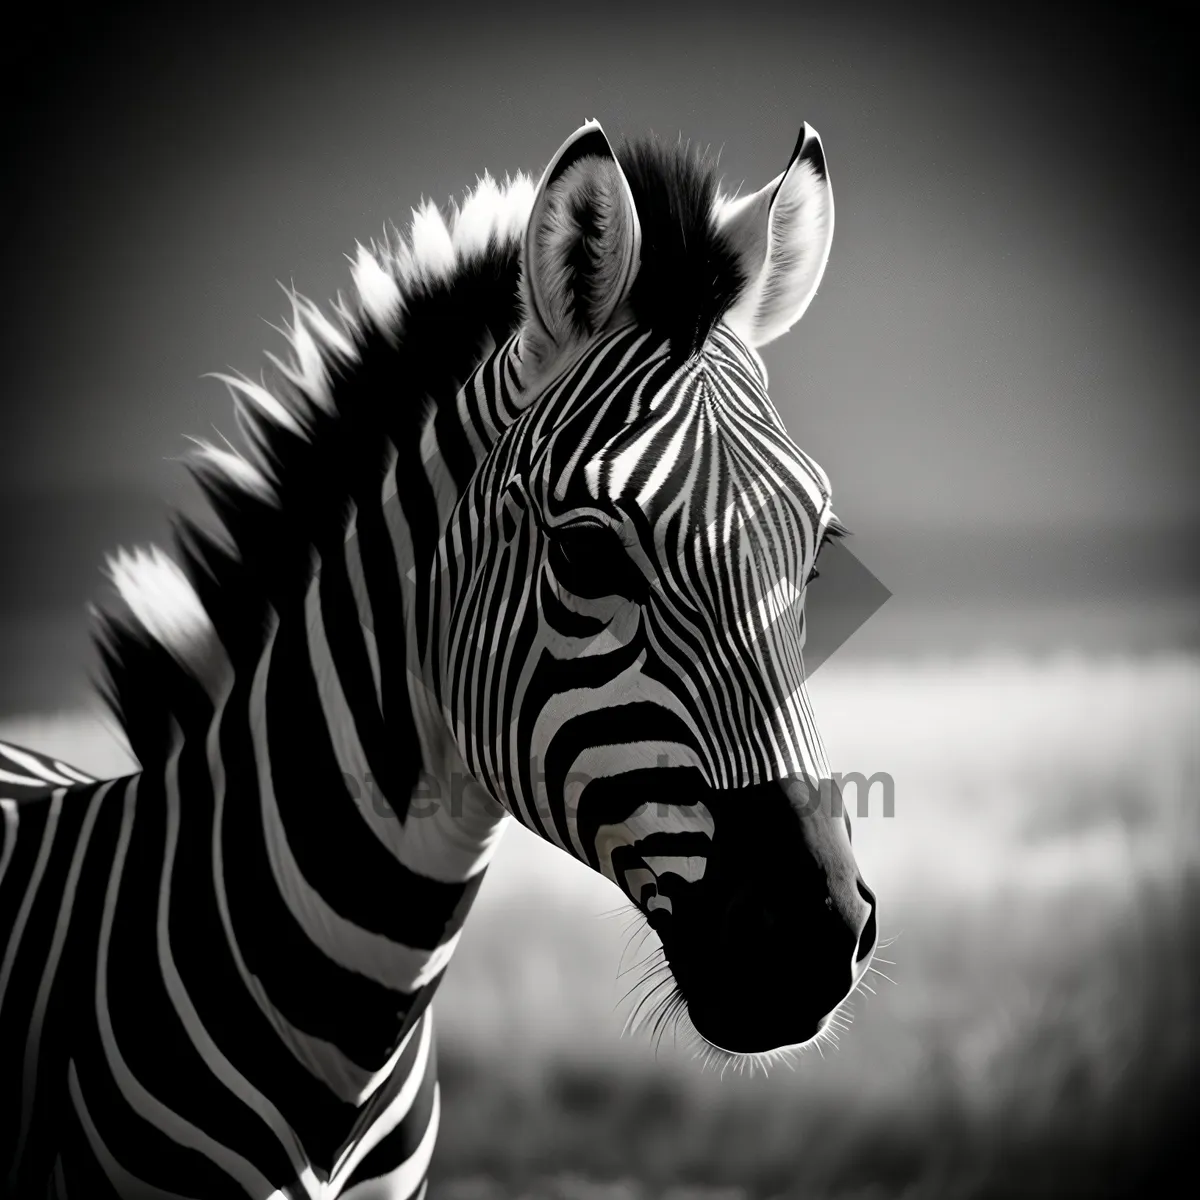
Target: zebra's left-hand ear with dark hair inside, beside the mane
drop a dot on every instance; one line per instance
(583, 244)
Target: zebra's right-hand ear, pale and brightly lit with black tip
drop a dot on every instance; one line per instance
(782, 236)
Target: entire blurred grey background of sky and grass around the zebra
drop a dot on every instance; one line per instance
(999, 376)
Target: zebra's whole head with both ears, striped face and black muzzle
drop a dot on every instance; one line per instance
(621, 587)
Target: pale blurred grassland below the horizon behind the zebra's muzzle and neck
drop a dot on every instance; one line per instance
(1041, 879)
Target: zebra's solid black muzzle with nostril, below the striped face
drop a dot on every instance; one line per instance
(781, 928)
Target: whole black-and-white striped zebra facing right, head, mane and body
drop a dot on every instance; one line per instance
(515, 532)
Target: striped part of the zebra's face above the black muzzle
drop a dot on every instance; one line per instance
(692, 470)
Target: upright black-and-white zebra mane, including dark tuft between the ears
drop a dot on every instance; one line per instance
(352, 395)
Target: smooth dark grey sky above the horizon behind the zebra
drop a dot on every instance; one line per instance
(1004, 341)
